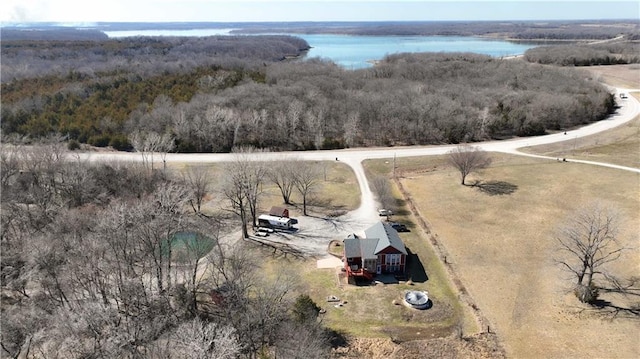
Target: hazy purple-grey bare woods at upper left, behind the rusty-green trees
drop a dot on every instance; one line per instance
(142, 56)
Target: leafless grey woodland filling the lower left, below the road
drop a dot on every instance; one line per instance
(107, 260)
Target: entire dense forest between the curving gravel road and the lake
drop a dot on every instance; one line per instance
(217, 93)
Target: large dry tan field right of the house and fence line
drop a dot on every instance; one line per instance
(502, 248)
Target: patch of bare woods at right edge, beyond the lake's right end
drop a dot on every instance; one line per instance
(586, 55)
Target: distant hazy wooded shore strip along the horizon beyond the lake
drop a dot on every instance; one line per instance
(555, 31)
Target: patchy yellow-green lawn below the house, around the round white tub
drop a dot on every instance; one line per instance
(369, 311)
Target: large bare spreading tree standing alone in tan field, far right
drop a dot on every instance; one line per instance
(586, 242)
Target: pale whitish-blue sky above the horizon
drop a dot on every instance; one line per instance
(88, 11)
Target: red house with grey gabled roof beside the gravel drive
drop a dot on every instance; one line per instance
(381, 251)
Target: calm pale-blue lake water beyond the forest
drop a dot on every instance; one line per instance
(355, 52)
